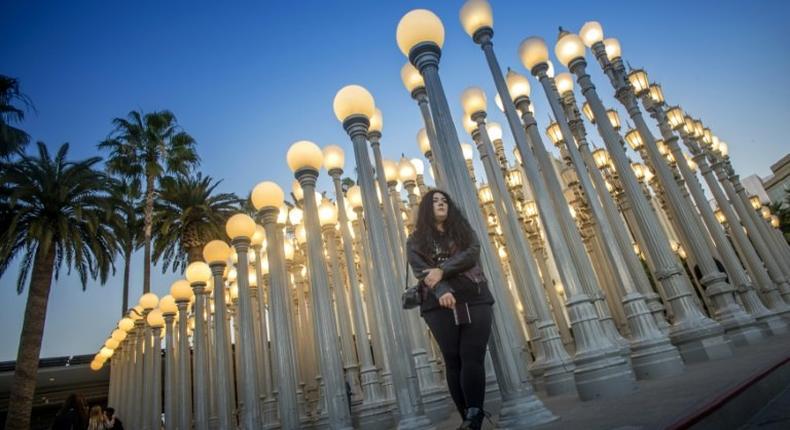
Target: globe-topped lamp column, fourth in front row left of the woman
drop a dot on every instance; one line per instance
(240, 228)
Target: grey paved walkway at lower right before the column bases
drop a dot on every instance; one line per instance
(658, 404)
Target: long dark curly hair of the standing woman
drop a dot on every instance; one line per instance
(456, 227)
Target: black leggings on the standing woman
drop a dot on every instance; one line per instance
(464, 349)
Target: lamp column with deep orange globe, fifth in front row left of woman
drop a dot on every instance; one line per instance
(216, 254)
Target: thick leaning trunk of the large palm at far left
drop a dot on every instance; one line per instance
(20, 401)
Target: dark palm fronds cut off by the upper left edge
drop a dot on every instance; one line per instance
(12, 139)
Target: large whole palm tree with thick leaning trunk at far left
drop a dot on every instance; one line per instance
(59, 213)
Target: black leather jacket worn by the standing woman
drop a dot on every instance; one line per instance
(464, 262)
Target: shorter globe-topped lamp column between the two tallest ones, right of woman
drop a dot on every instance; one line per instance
(552, 362)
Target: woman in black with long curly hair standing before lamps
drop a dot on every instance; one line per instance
(443, 252)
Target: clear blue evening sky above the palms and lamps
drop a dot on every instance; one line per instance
(247, 79)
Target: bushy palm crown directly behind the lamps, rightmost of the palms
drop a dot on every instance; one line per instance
(189, 214)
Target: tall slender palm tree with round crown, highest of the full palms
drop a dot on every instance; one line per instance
(144, 147)
